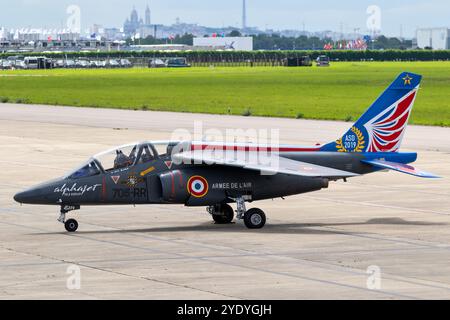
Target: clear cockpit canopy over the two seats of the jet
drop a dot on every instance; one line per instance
(123, 157)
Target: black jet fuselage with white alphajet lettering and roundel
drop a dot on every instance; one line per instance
(161, 181)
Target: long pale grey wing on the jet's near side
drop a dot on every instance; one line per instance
(266, 163)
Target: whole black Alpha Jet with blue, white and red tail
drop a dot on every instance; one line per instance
(216, 175)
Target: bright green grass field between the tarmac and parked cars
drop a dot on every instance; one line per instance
(341, 92)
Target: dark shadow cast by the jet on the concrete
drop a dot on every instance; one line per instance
(284, 228)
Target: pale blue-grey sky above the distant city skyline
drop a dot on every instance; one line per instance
(279, 14)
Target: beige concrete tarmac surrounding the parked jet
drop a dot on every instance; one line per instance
(381, 236)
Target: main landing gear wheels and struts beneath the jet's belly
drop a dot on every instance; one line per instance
(223, 214)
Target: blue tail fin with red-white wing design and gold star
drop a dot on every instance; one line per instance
(382, 127)
